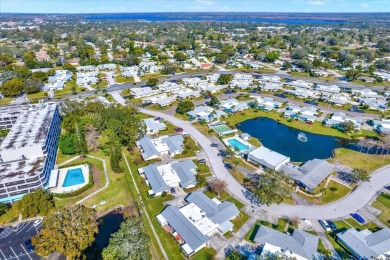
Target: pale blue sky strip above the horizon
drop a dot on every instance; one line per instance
(110, 6)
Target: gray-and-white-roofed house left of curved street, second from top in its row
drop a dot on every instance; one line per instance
(165, 145)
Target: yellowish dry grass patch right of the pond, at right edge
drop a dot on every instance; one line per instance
(353, 159)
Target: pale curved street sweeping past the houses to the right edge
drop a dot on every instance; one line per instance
(356, 200)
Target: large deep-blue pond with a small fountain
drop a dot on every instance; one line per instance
(284, 139)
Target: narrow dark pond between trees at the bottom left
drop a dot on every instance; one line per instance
(108, 225)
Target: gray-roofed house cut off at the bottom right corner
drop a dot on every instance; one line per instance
(367, 245)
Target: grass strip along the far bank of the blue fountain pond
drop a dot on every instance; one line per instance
(316, 128)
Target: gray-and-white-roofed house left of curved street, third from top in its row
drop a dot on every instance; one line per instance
(171, 175)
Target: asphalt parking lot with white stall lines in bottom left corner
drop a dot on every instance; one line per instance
(12, 243)
